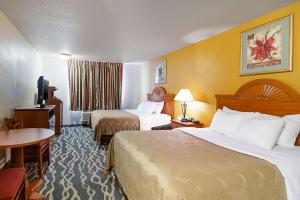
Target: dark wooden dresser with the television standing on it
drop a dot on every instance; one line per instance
(38, 117)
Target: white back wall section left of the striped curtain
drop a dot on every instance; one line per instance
(55, 70)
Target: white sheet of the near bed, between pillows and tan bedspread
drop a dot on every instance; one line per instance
(287, 160)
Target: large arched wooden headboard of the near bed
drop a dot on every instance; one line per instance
(263, 95)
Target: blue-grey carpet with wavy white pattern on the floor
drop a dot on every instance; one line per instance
(76, 170)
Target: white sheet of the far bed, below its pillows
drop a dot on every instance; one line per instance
(147, 121)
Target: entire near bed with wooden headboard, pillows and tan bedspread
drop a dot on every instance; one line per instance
(259, 125)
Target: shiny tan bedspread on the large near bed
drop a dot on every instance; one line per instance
(172, 165)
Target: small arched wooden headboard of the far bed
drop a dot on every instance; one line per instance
(160, 94)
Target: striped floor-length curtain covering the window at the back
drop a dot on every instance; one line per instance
(95, 85)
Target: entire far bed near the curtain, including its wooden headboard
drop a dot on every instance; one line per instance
(156, 111)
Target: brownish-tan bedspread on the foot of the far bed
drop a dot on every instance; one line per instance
(109, 122)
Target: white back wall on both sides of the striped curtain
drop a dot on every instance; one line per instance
(135, 84)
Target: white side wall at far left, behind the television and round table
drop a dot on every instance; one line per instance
(19, 69)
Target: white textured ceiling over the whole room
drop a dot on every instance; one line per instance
(127, 30)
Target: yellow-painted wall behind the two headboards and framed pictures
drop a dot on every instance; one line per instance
(211, 66)
